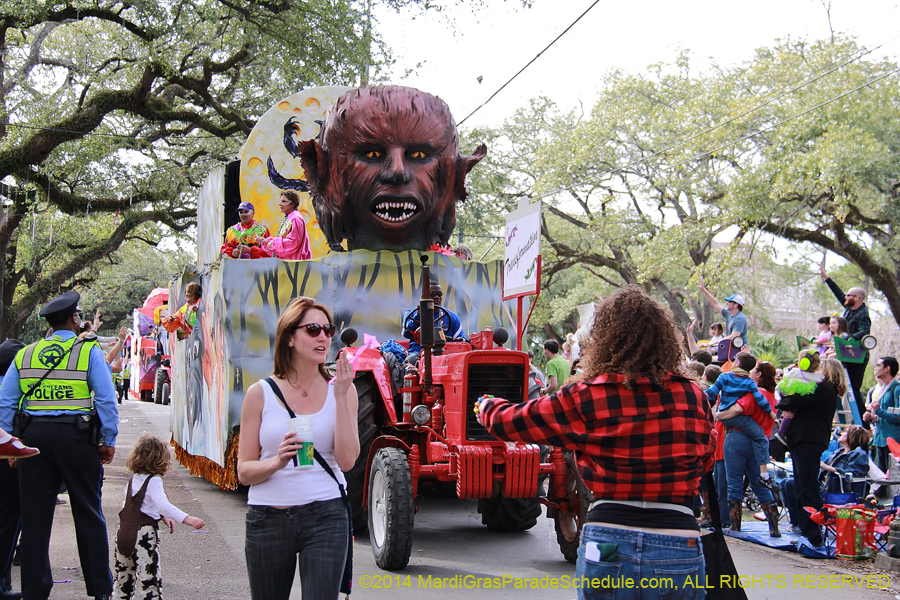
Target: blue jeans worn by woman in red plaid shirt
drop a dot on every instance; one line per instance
(658, 566)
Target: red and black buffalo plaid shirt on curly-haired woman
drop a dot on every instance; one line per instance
(642, 442)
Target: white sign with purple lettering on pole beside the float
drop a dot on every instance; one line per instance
(523, 247)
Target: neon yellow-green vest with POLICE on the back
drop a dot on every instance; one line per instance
(65, 387)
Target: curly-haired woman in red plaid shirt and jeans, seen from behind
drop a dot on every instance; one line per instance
(640, 432)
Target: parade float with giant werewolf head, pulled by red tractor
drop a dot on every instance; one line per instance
(367, 249)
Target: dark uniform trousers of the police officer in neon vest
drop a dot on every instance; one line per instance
(66, 456)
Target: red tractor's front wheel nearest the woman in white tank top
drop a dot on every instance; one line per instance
(391, 509)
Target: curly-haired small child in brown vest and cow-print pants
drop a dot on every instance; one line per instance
(137, 555)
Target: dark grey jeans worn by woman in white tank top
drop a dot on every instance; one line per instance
(316, 534)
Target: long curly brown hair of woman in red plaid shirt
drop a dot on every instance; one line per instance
(633, 335)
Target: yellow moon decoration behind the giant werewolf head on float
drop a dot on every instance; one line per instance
(267, 139)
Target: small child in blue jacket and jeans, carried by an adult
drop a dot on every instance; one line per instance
(730, 387)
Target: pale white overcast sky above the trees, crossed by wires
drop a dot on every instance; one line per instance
(497, 42)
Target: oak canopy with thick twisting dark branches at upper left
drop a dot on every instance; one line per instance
(112, 112)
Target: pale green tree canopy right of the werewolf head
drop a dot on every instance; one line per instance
(674, 174)
